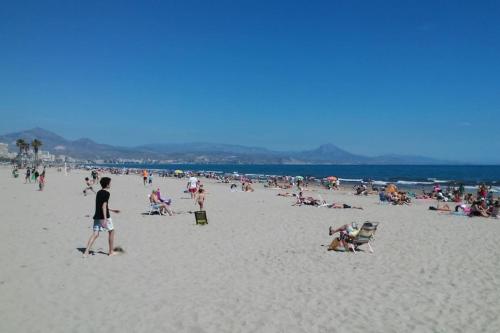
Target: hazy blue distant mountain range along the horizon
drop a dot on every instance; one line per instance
(200, 152)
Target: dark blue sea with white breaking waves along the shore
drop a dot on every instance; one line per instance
(402, 174)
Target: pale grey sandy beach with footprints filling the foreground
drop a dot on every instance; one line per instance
(260, 265)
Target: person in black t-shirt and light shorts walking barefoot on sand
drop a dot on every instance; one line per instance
(102, 219)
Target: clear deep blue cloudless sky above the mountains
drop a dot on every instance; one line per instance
(373, 77)
